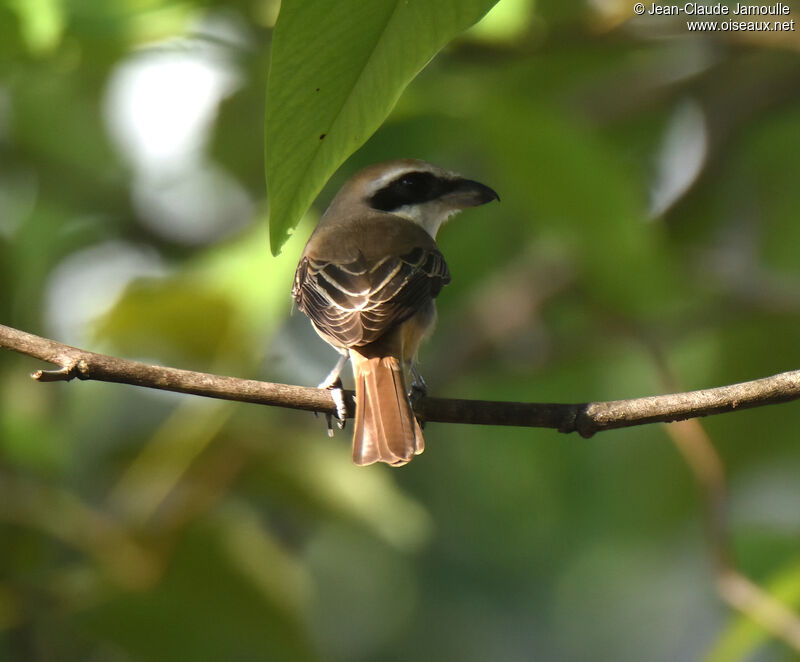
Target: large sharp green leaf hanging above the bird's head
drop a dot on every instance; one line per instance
(338, 67)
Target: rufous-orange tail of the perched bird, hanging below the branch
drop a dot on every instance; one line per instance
(385, 427)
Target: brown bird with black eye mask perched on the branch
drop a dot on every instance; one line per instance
(367, 279)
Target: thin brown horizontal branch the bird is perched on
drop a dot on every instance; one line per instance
(585, 418)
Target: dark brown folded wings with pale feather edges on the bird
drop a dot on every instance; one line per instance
(355, 303)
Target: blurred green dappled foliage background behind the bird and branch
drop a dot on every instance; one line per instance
(647, 241)
